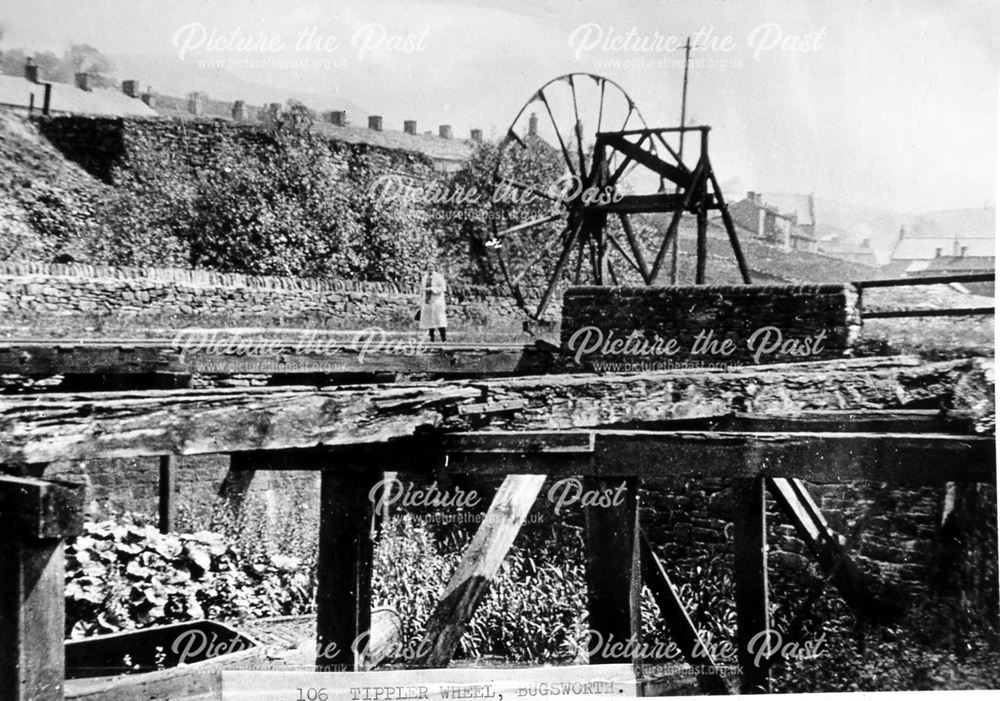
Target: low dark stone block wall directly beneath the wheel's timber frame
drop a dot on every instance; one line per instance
(664, 327)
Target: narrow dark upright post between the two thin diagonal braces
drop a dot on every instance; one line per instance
(750, 575)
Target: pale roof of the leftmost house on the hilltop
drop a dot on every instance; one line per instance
(16, 91)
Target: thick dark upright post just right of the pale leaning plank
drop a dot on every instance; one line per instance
(614, 579)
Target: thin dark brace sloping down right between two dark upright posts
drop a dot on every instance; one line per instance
(679, 623)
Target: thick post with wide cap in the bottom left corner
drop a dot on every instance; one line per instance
(37, 516)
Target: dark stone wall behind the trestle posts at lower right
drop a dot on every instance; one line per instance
(902, 536)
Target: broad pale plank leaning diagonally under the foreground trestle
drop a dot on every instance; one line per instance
(480, 562)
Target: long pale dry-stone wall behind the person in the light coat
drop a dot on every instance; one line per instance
(39, 298)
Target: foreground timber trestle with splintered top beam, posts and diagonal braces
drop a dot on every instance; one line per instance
(754, 451)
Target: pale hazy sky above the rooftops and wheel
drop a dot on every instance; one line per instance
(889, 103)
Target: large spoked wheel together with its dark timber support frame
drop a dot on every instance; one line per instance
(578, 222)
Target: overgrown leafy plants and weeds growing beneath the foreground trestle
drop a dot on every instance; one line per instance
(122, 574)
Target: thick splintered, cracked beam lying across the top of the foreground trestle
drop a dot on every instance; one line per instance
(44, 428)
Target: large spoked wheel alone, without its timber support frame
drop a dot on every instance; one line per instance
(547, 234)
